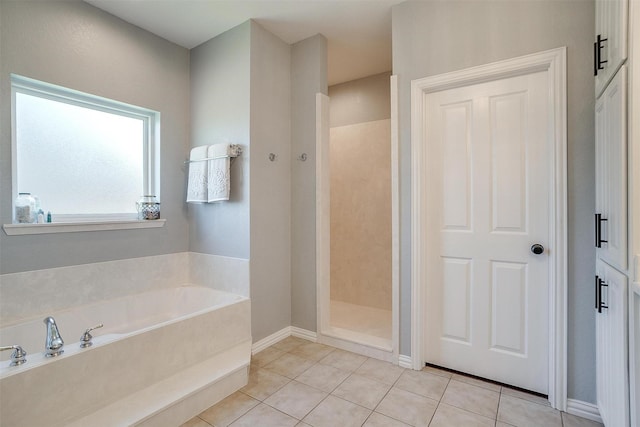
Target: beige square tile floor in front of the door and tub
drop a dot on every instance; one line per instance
(300, 383)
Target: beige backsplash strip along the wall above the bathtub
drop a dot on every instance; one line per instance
(39, 293)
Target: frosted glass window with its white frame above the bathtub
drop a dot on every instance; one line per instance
(86, 158)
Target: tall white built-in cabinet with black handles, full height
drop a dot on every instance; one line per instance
(613, 324)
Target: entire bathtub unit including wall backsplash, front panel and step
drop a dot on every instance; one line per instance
(174, 340)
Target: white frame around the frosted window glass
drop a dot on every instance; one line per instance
(151, 139)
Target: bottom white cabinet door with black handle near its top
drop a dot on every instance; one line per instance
(611, 349)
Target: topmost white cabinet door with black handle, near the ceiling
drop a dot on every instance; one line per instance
(610, 46)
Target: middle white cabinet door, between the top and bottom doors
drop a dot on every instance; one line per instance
(611, 173)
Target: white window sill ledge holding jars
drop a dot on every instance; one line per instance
(72, 227)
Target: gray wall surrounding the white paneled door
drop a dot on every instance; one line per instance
(434, 37)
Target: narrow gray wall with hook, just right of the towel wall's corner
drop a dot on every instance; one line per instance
(270, 183)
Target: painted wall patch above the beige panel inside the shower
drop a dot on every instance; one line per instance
(359, 101)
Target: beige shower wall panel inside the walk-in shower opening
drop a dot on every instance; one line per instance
(361, 214)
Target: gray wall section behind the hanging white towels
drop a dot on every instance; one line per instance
(220, 112)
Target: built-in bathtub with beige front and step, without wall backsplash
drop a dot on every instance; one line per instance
(147, 339)
